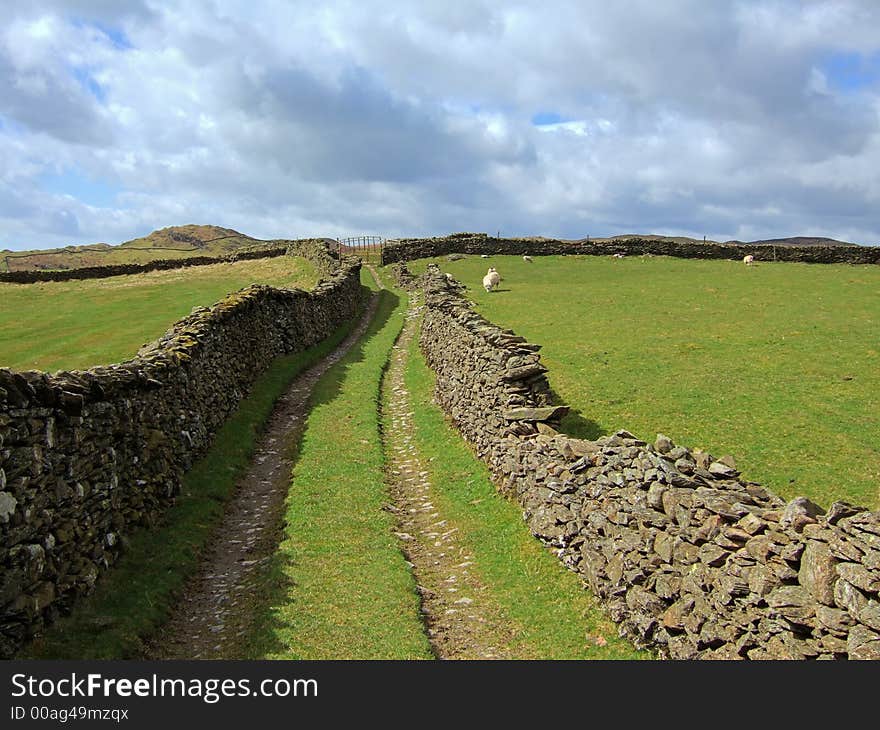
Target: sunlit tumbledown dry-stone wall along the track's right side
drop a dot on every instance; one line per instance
(688, 558)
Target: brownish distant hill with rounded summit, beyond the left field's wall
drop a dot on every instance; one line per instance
(166, 243)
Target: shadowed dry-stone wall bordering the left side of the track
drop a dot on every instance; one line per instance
(87, 455)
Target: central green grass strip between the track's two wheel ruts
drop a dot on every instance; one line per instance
(339, 587)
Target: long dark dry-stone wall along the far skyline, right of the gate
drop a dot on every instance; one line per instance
(408, 249)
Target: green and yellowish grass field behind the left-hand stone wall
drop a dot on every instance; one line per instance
(77, 324)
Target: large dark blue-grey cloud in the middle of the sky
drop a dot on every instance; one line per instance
(359, 131)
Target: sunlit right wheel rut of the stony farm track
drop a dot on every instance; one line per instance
(461, 619)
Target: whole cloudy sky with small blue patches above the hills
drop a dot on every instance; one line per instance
(746, 120)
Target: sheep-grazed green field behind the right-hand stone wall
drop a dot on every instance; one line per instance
(777, 364)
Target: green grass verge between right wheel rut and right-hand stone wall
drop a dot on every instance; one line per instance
(558, 618)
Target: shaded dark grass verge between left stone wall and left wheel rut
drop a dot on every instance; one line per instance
(135, 597)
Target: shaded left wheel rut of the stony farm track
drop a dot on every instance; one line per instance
(213, 615)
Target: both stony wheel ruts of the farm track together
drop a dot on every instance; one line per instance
(213, 617)
